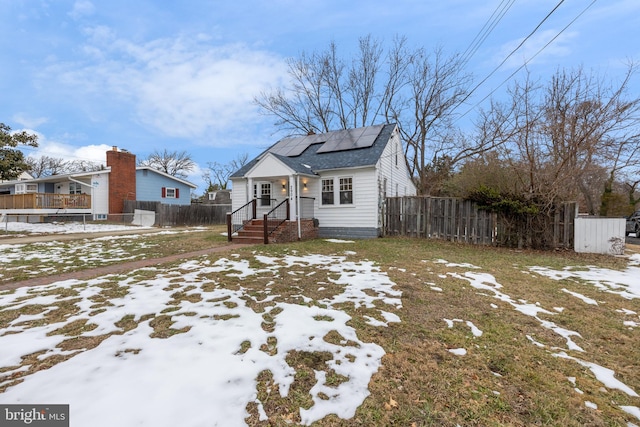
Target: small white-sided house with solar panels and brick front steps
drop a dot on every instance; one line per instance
(336, 181)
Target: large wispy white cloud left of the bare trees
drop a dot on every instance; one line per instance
(183, 87)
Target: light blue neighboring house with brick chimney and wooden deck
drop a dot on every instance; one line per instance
(99, 193)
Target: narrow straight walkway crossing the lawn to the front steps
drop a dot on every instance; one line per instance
(115, 268)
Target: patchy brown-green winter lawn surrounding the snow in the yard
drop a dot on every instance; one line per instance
(484, 339)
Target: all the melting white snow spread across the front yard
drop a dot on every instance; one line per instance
(206, 374)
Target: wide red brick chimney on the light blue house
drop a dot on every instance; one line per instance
(122, 179)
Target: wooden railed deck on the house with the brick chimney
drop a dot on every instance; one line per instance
(45, 202)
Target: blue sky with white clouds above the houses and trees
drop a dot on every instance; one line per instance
(143, 75)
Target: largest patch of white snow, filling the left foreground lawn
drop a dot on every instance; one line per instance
(203, 366)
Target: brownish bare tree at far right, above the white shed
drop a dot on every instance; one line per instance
(557, 137)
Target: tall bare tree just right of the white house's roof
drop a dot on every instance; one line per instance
(428, 89)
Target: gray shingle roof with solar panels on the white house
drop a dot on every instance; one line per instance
(312, 156)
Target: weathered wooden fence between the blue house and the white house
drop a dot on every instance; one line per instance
(173, 215)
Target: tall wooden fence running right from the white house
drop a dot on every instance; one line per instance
(461, 220)
